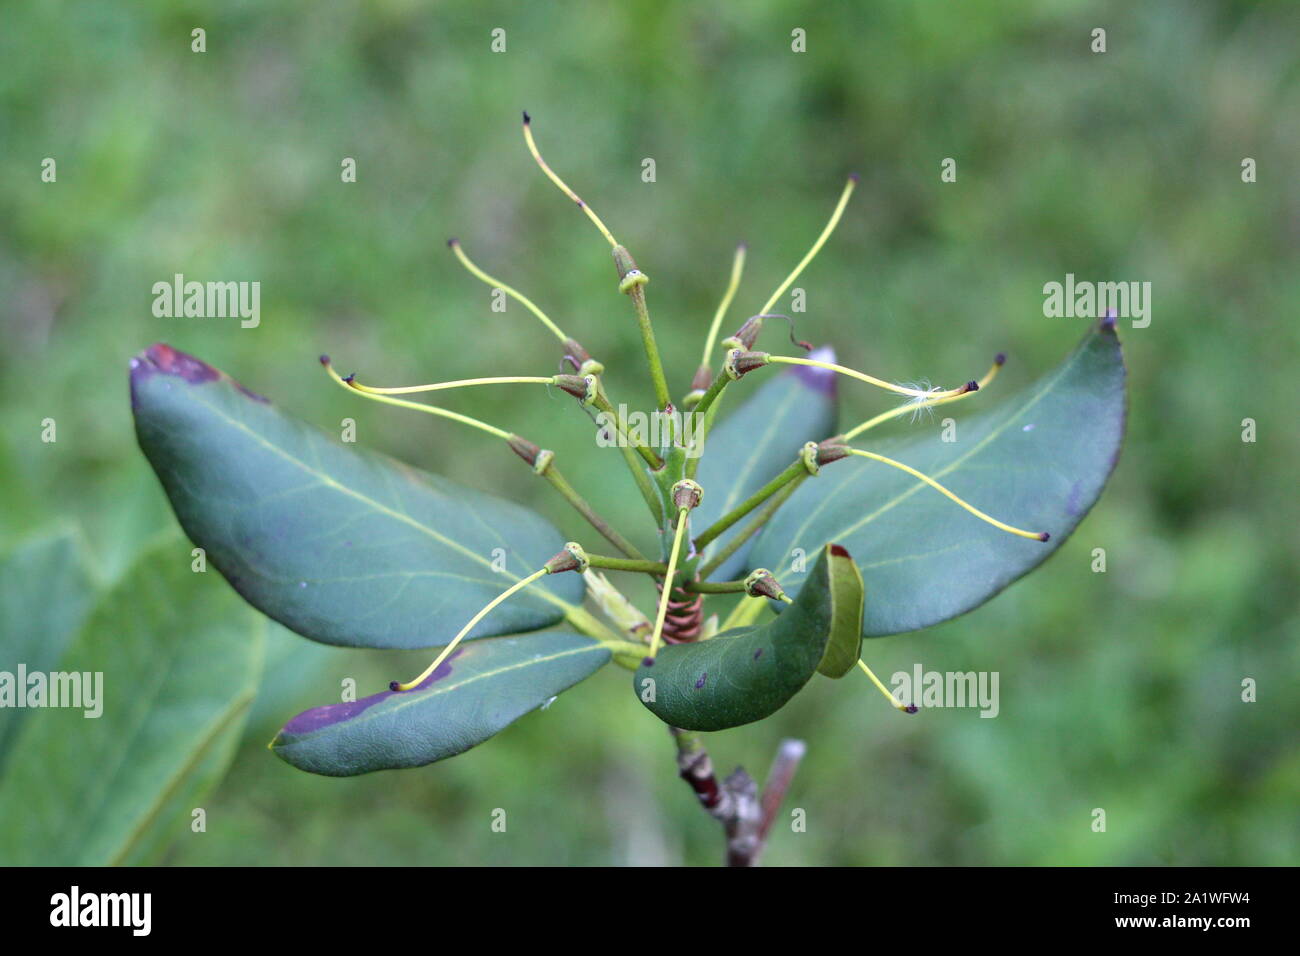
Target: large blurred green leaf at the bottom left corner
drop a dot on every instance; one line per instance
(177, 659)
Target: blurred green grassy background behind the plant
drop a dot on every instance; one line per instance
(1119, 690)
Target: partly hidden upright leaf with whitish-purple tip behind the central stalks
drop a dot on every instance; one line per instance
(751, 447)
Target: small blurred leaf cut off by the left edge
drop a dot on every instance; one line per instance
(46, 592)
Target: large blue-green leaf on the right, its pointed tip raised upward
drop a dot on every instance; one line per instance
(1039, 461)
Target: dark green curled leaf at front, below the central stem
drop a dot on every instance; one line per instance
(748, 673)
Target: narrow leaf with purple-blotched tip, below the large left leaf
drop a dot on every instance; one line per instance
(475, 694)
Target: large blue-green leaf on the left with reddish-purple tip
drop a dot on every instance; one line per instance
(339, 544)
